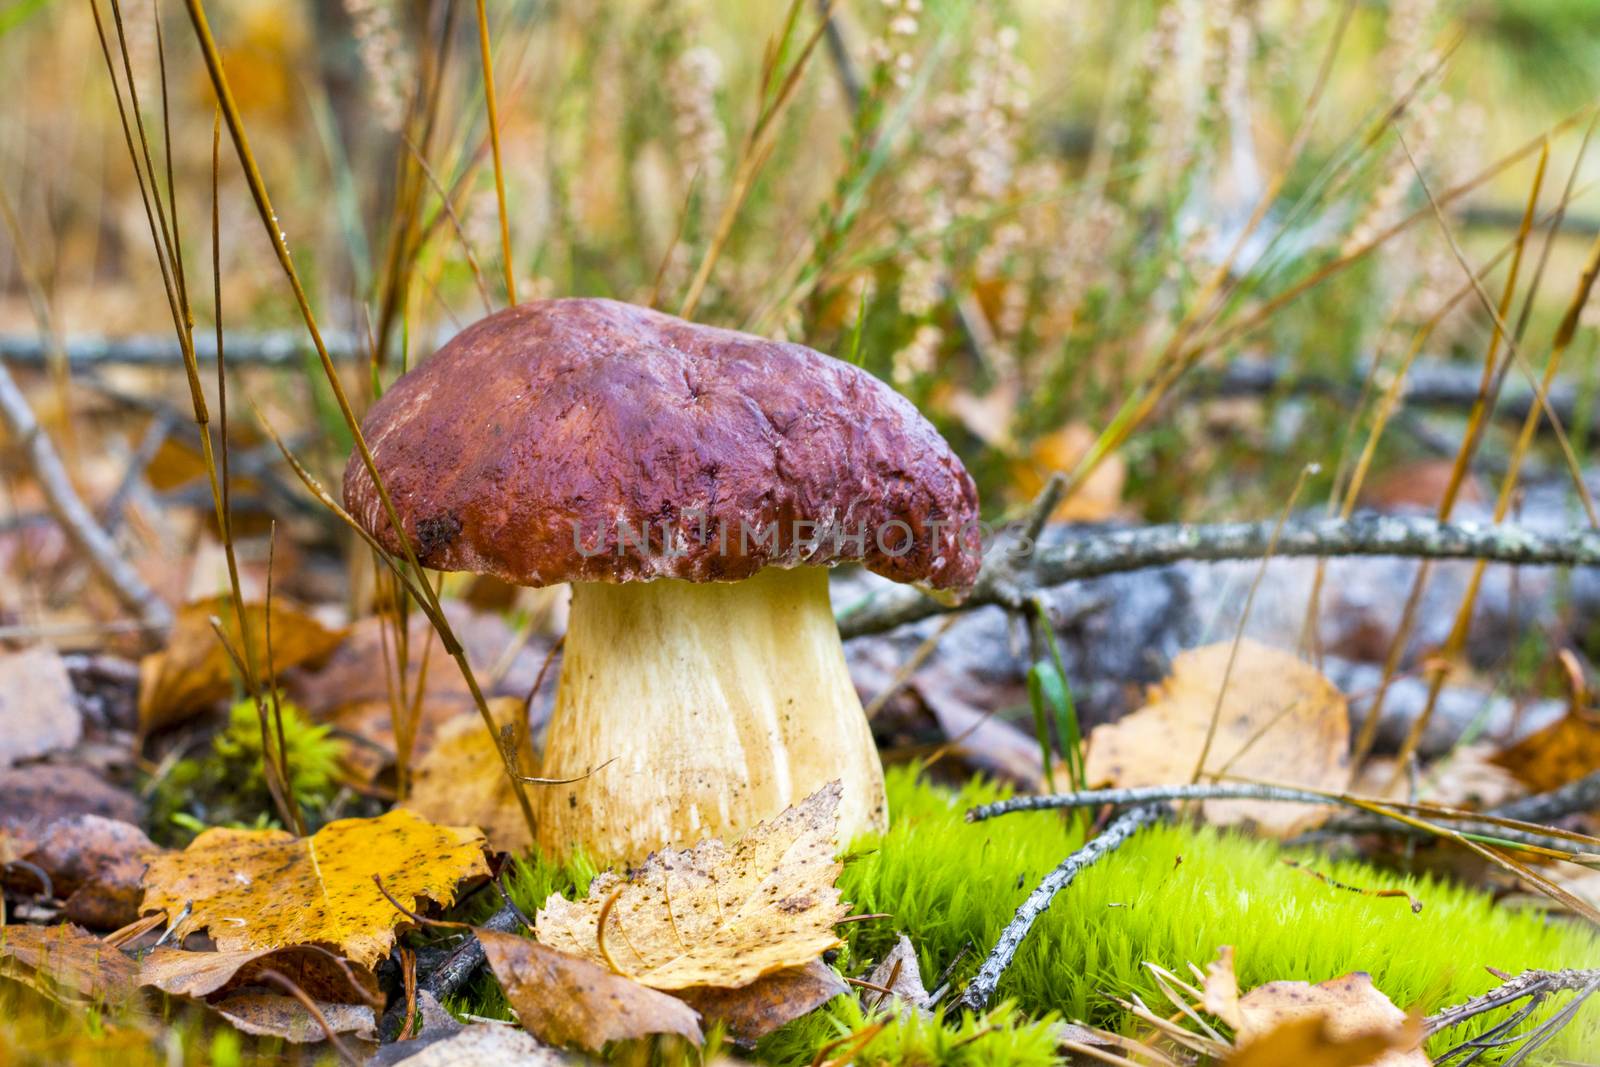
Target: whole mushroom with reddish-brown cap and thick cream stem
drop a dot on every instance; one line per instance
(694, 486)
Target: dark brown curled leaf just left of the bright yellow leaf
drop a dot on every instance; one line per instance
(97, 866)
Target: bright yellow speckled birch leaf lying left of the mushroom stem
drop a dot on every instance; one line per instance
(268, 890)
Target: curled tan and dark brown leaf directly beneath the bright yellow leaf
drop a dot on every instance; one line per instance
(201, 975)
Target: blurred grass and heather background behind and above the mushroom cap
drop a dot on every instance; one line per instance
(1009, 210)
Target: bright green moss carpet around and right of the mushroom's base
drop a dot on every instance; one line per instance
(1170, 897)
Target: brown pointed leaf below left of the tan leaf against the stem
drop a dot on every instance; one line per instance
(567, 1001)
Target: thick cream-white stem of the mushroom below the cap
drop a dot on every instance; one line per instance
(718, 705)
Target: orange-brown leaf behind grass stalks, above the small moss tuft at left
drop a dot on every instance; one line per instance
(194, 669)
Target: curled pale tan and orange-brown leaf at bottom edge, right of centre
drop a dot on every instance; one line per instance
(1356, 1026)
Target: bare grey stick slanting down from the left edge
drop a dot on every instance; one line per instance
(76, 519)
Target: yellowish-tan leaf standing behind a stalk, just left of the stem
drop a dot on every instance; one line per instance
(462, 780)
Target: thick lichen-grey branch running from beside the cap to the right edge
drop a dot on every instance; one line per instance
(1009, 580)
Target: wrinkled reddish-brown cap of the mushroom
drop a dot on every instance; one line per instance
(594, 441)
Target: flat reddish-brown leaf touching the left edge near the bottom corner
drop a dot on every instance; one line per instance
(68, 964)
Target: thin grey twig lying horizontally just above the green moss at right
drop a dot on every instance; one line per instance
(1286, 794)
